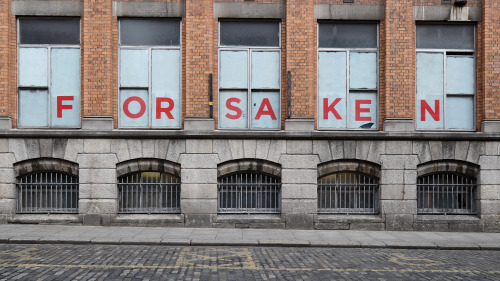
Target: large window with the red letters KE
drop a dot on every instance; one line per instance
(347, 75)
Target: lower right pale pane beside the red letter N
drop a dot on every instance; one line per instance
(460, 113)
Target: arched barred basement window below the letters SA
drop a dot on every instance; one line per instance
(249, 186)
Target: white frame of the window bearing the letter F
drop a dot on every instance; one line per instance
(49, 78)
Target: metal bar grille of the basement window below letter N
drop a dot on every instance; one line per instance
(446, 193)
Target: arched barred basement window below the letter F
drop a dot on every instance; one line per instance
(47, 186)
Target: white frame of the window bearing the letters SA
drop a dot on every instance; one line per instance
(250, 50)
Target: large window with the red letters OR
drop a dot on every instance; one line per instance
(150, 73)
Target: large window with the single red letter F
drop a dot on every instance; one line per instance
(49, 72)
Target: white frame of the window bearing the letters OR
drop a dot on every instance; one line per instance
(149, 48)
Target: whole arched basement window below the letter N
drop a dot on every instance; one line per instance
(447, 188)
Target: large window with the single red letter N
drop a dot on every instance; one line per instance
(445, 66)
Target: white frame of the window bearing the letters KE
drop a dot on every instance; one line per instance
(348, 89)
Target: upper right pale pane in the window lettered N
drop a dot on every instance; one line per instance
(460, 75)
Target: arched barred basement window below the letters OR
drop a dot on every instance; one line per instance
(149, 186)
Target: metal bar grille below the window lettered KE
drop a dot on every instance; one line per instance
(348, 193)
